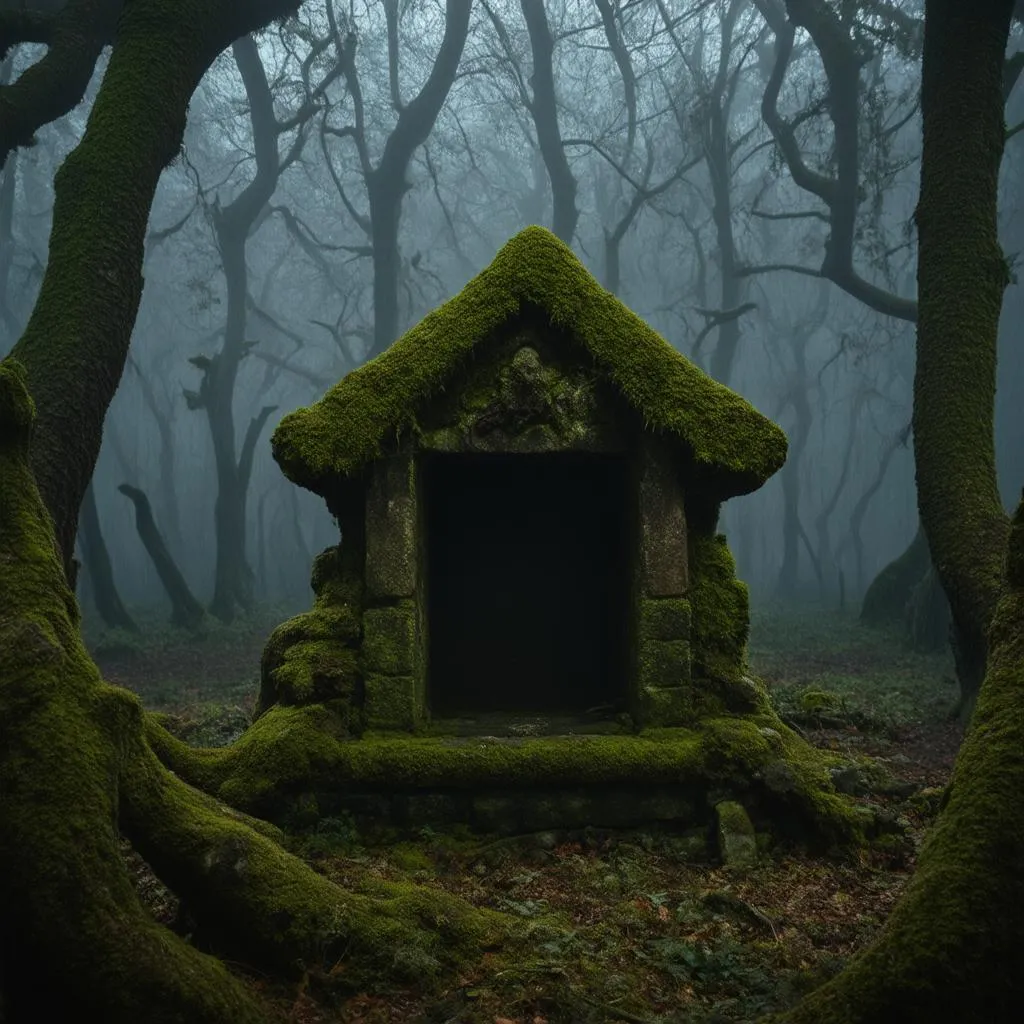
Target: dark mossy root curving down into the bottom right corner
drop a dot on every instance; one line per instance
(954, 948)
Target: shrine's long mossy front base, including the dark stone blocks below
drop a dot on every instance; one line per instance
(295, 765)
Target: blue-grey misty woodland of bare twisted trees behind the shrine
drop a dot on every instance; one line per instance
(697, 165)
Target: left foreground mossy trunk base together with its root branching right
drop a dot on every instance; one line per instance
(76, 775)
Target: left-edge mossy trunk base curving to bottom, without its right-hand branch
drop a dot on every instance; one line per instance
(74, 935)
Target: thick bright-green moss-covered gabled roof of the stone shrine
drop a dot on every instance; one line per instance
(346, 430)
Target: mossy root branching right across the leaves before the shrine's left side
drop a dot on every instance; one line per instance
(252, 900)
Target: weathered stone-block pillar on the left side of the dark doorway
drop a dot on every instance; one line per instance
(393, 662)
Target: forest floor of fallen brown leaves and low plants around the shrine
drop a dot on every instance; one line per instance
(629, 929)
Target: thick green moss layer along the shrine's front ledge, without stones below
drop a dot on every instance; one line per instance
(293, 751)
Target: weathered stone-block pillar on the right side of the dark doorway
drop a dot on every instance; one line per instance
(664, 612)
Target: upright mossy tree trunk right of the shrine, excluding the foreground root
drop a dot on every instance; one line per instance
(962, 275)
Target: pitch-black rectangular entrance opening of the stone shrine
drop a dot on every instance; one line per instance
(528, 565)
